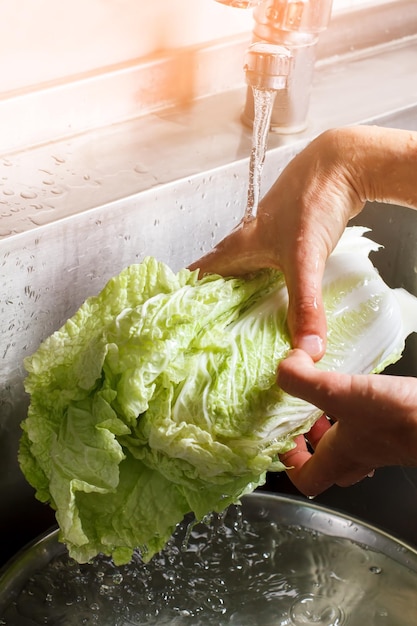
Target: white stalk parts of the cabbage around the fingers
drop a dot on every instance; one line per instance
(368, 323)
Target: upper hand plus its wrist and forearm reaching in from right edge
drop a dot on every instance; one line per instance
(302, 217)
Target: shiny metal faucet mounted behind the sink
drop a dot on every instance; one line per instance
(294, 25)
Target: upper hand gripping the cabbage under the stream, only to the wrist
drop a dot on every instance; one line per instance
(298, 224)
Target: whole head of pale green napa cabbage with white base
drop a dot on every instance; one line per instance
(158, 397)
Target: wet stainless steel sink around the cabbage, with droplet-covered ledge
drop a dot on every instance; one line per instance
(171, 184)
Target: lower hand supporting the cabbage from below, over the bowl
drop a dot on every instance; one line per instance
(375, 424)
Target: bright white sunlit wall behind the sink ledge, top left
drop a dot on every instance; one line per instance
(46, 40)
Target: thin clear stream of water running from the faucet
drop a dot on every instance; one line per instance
(263, 104)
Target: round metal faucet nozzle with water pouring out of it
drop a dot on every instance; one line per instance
(267, 66)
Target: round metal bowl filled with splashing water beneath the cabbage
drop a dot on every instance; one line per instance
(275, 560)
